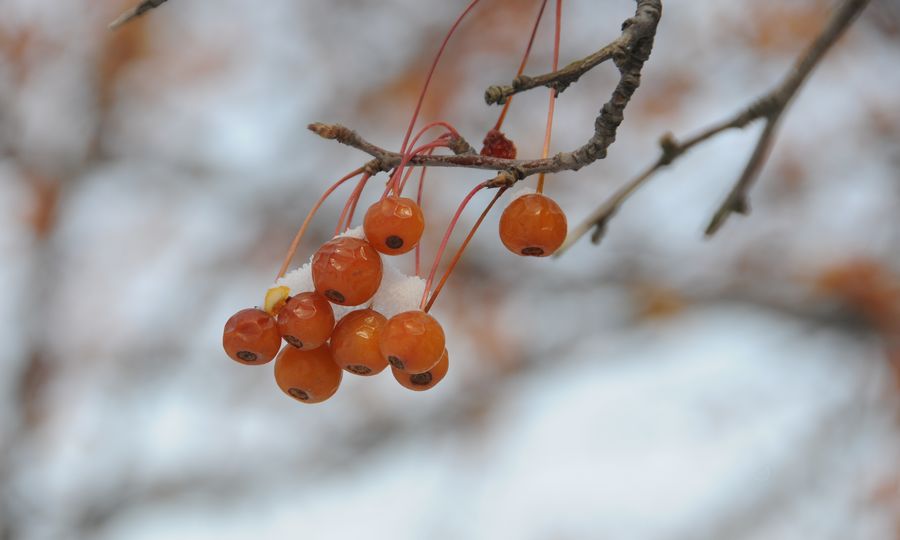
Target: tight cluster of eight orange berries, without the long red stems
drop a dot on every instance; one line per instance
(318, 346)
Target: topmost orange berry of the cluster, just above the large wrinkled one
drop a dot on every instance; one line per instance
(394, 225)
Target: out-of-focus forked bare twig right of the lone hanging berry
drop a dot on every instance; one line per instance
(769, 107)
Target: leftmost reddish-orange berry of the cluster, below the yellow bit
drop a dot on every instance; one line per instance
(251, 337)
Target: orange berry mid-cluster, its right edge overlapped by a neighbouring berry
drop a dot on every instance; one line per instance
(354, 342)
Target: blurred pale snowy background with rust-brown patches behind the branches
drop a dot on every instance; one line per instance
(657, 386)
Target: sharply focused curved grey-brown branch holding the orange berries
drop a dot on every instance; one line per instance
(632, 49)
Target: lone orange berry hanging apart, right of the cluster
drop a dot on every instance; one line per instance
(533, 225)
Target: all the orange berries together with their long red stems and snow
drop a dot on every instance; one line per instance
(348, 309)
